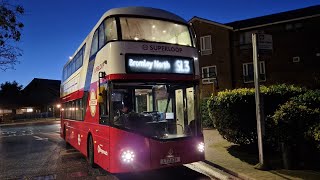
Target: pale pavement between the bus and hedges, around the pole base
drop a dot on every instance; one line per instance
(218, 154)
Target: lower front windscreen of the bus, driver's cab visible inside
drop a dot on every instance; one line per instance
(162, 111)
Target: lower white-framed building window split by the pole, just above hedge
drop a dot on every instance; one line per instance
(248, 75)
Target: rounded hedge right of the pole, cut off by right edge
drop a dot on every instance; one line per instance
(299, 119)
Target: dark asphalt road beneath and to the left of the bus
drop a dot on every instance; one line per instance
(36, 151)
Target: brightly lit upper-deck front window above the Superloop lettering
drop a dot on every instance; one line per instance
(141, 29)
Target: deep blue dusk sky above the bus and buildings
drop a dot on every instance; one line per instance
(55, 28)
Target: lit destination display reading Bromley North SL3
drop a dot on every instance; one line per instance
(158, 64)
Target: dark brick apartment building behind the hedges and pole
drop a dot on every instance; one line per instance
(225, 50)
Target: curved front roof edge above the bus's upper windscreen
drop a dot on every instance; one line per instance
(145, 11)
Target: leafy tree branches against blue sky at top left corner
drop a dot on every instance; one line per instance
(10, 34)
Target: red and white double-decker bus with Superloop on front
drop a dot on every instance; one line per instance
(130, 92)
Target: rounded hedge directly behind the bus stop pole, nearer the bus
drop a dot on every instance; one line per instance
(234, 115)
